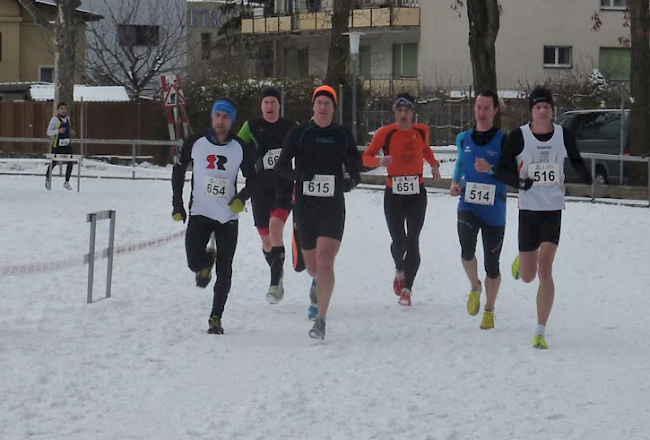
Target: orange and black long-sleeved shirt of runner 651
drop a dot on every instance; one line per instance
(408, 148)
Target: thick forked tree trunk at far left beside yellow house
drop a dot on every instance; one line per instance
(64, 28)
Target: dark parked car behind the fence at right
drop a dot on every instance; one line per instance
(599, 131)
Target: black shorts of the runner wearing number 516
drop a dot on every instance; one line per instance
(537, 227)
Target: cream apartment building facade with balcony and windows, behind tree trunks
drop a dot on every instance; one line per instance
(419, 44)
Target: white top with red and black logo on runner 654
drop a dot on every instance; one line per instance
(215, 171)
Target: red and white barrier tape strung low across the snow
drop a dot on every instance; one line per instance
(54, 266)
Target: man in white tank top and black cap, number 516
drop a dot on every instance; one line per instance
(533, 160)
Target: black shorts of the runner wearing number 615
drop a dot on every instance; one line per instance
(316, 218)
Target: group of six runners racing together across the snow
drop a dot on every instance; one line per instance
(309, 167)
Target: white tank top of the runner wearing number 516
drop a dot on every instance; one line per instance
(544, 163)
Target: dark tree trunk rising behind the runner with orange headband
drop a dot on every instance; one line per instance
(337, 61)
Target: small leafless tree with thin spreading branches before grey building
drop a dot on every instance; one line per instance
(136, 42)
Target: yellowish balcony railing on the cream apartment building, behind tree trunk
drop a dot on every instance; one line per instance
(405, 14)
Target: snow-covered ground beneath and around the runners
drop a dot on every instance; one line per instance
(140, 365)
